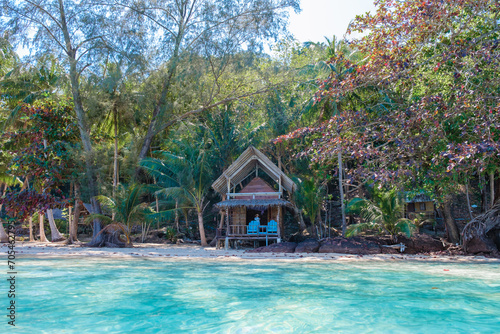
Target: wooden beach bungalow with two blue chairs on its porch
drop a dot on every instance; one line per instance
(254, 192)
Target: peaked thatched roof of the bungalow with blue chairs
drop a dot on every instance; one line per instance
(245, 164)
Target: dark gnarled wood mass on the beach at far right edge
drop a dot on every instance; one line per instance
(482, 234)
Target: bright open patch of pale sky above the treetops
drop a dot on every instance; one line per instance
(321, 18)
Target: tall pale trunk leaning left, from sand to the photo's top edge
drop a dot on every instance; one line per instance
(82, 126)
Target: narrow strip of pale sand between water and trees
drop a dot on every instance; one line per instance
(196, 252)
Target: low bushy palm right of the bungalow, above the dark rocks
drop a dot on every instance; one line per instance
(384, 213)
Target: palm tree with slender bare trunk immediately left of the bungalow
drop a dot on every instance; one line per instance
(186, 176)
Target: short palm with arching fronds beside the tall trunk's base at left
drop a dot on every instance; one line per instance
(127, 207)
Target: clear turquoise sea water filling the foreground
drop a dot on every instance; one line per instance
(103, 295)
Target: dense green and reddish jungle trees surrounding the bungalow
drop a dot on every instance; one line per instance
(136, 107)
